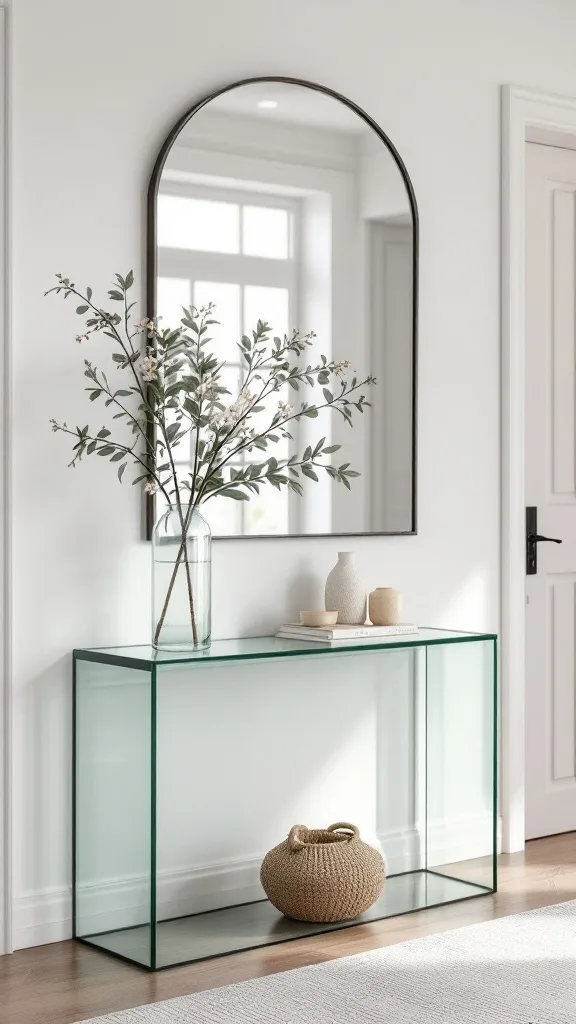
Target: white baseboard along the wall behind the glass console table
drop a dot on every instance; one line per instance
(47, 917)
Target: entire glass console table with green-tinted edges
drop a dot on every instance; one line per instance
(188, 769)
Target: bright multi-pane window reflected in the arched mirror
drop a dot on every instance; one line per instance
(236, 252)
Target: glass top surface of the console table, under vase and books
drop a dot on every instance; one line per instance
(259, 648)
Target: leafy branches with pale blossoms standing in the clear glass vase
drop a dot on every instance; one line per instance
(178, 380)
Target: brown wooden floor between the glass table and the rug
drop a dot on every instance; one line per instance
(66, 983)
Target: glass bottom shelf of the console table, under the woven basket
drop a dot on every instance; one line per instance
(217, 933)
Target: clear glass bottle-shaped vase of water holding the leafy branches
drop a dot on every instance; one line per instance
(181, 581)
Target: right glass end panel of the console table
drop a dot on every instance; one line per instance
(462, 804)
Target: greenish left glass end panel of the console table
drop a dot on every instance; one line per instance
(113, 732)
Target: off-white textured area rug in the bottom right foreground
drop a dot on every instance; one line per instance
(519, 970)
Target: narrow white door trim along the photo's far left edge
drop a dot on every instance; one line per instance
(6, 424)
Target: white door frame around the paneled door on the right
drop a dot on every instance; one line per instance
(522, 111)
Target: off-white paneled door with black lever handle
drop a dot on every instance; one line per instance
(551, 489)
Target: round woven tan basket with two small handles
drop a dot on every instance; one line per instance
(323, 875)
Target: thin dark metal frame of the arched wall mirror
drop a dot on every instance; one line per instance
(152, 267)
